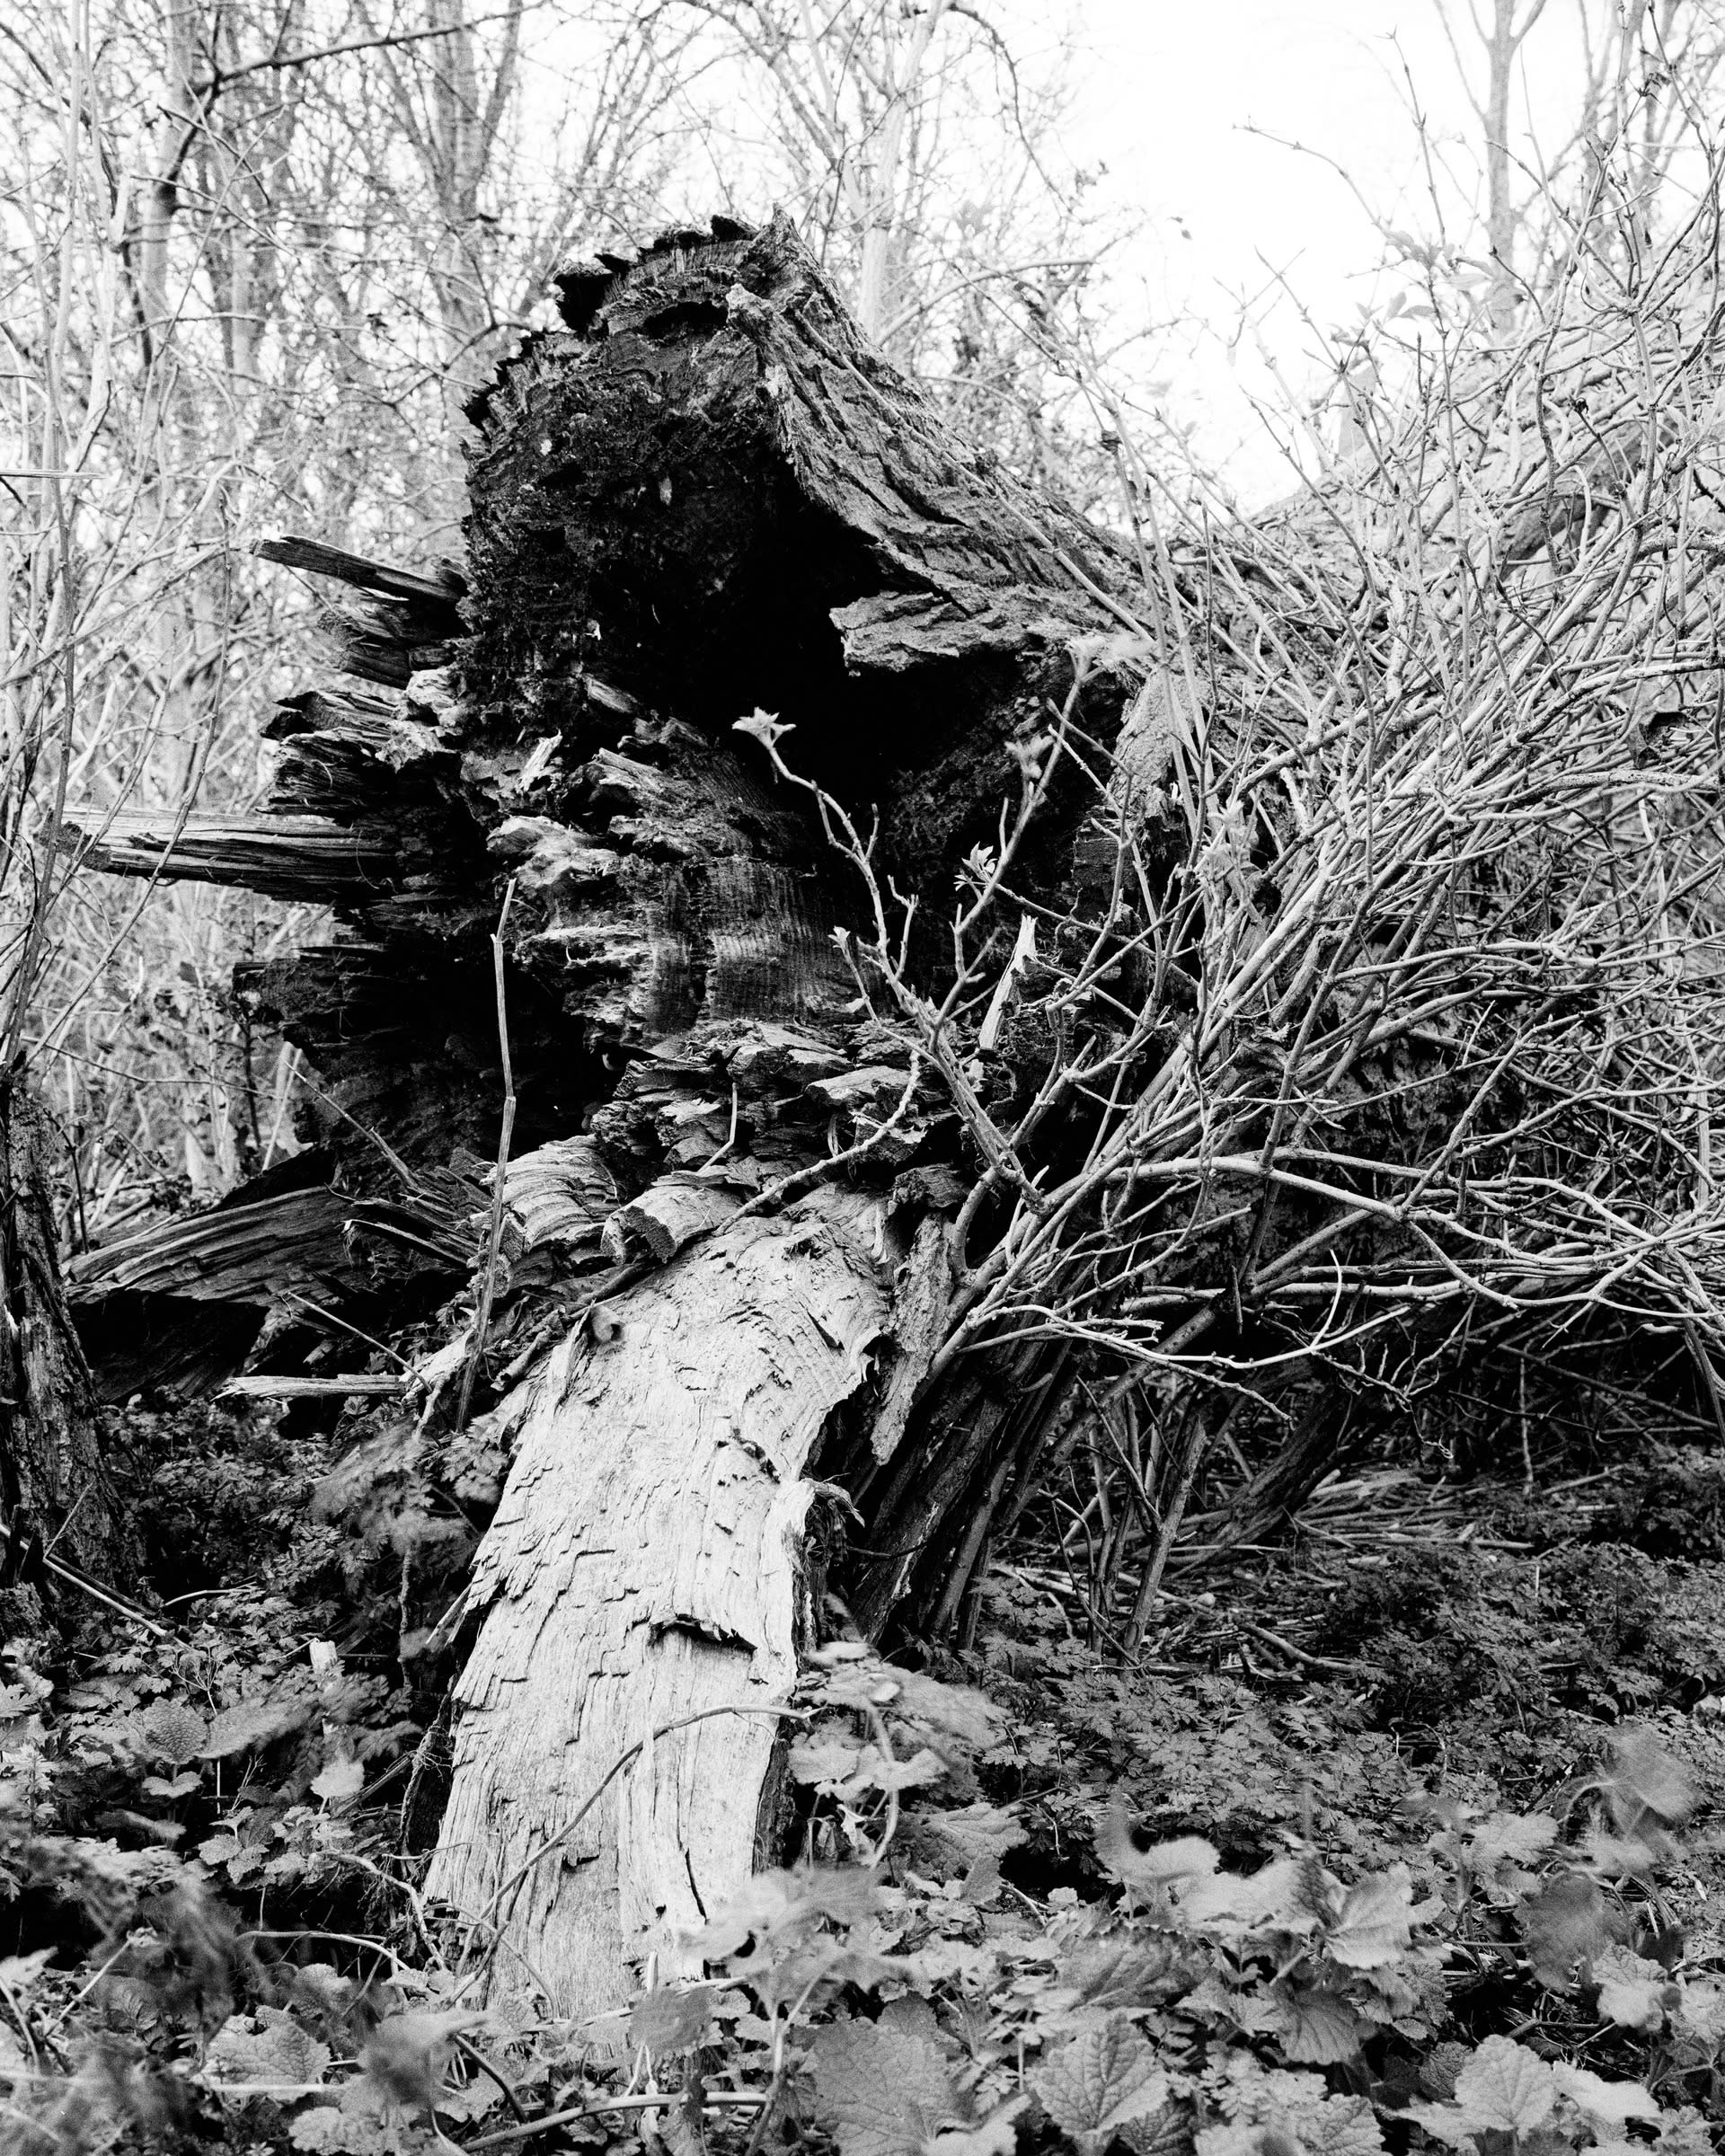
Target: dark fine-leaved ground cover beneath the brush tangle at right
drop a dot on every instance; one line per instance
(1411, 1640)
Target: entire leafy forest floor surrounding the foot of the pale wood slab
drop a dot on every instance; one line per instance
(1403, 1832)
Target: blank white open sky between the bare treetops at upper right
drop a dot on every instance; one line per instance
(1172, 94)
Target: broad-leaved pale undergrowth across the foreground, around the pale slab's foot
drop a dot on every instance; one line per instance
(1513, 1980)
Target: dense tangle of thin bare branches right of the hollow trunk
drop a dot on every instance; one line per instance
(1390, 1019)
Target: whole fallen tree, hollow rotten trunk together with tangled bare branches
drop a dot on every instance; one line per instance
(1172, 1004)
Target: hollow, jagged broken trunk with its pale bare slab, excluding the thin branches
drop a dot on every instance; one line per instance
(698, 501)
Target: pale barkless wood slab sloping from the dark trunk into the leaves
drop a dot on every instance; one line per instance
(646, 1566)
